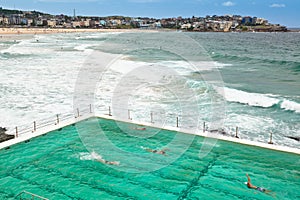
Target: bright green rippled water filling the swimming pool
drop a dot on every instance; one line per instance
(59, 165)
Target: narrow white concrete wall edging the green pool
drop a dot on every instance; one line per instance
(211, 135)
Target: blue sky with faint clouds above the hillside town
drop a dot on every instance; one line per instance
(284, 12)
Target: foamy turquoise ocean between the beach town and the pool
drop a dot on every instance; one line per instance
(227, 80)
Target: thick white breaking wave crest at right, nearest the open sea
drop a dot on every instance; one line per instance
(252, 99)
